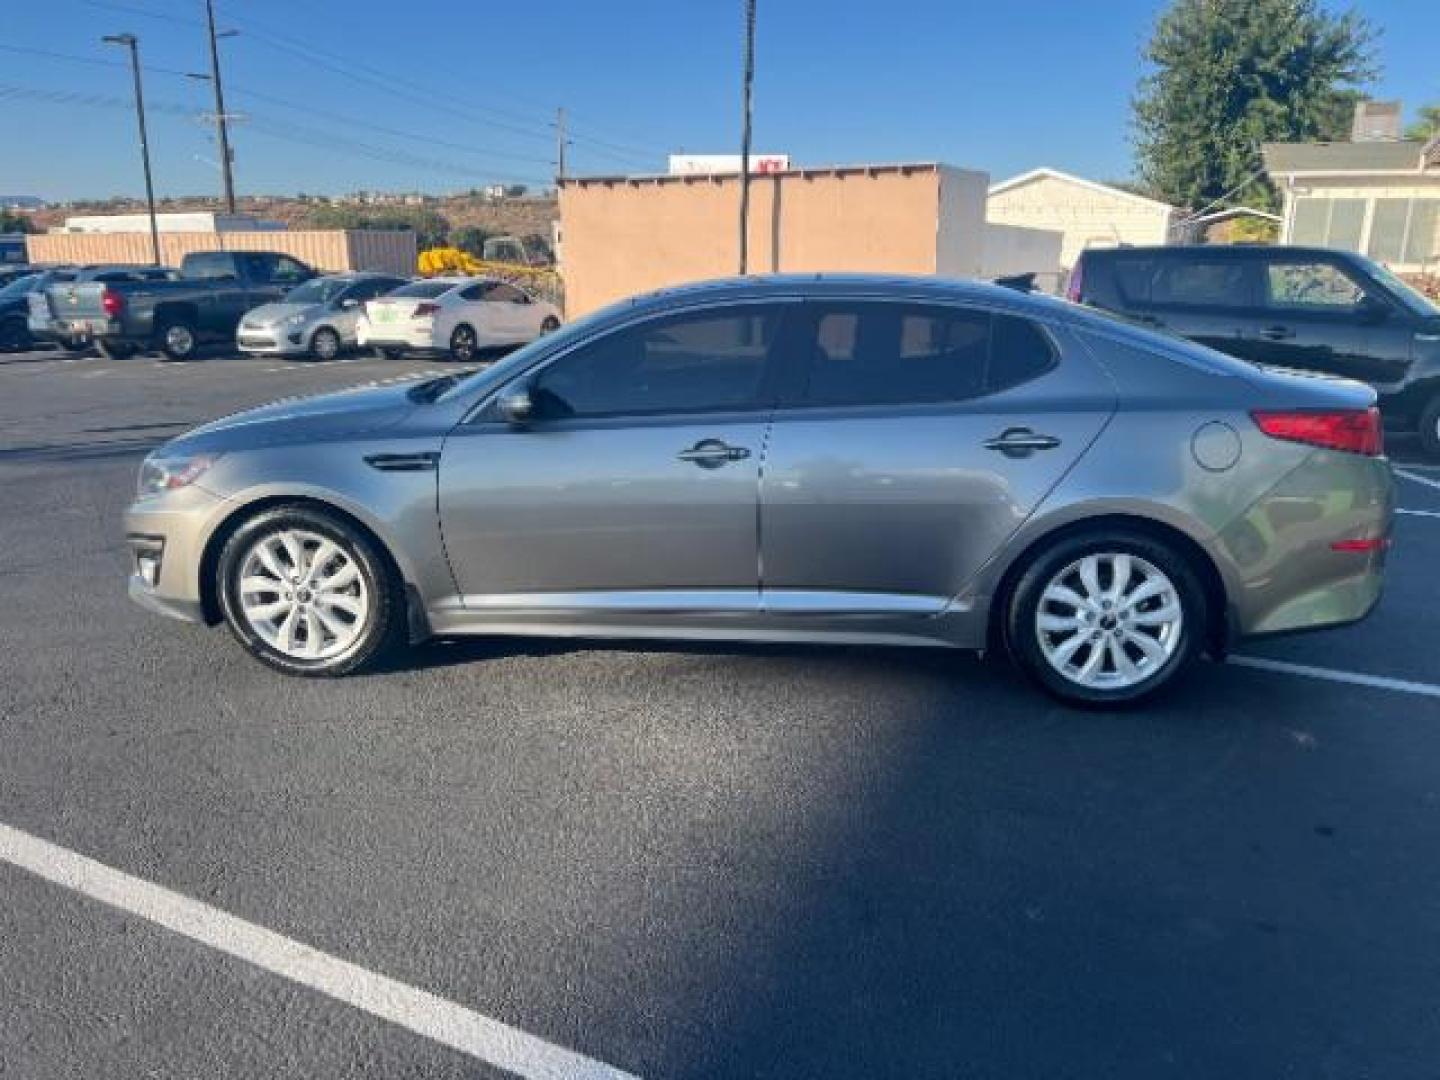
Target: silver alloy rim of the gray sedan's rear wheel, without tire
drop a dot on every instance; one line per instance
(1110, 621)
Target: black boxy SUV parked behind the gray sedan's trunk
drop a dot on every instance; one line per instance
(1308, 309)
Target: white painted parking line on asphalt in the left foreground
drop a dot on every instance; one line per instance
(426, 1014)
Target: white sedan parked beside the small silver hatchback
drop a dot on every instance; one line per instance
(456, 316)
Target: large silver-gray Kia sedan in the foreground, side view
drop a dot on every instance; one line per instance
(800, 459)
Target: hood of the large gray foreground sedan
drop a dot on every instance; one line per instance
(306, 420)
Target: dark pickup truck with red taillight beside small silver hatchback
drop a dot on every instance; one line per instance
(205, 303)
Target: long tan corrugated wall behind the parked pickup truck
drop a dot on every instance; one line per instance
(326, 250)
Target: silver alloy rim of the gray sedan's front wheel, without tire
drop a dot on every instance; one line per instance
(303, 594)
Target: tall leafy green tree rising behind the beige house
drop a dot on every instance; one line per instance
(1228, 76)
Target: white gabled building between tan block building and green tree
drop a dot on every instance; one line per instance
(1088, 217)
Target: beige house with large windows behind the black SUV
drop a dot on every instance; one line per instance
(1377, 198)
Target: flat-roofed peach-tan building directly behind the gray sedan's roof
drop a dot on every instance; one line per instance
(630, 235)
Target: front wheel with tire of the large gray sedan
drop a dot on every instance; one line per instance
(309, 594)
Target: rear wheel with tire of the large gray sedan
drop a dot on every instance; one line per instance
(1107, 618)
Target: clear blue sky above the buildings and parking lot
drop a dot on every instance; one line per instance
(441, 96)
